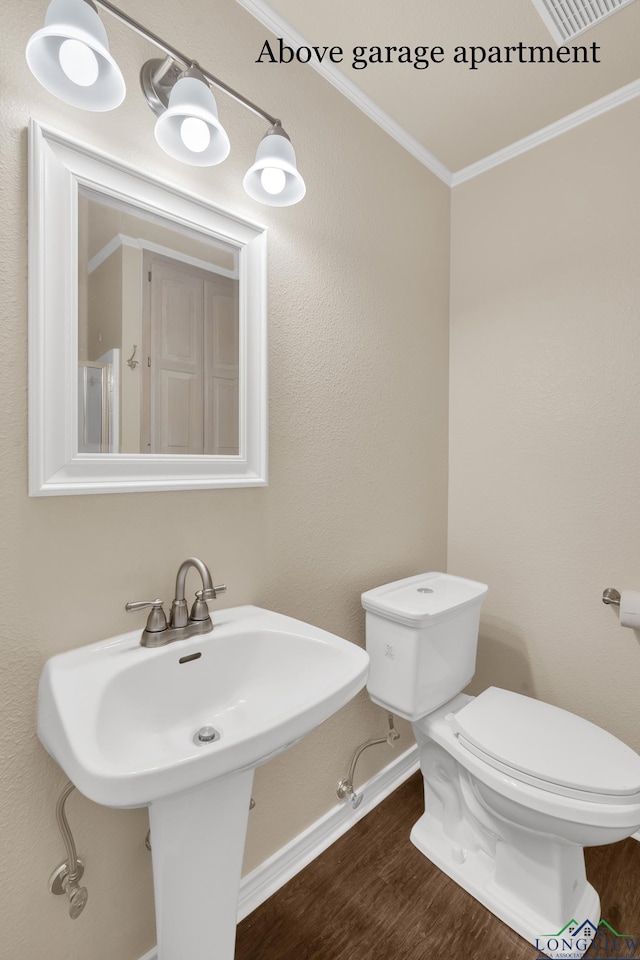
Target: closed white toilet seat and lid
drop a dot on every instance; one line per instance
(547, 747)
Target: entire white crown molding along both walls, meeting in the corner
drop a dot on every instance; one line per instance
(261, 10)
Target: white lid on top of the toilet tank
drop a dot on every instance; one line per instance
(421, 599)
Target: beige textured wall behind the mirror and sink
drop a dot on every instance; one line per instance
(358, 341)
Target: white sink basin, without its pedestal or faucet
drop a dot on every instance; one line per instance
(120, 719)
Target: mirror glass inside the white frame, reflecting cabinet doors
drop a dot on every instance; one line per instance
(158, 334)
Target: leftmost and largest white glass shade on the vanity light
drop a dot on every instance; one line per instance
(70, 57)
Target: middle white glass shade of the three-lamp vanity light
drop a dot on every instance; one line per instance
(192, 99)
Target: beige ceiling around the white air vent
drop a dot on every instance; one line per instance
(461, 116)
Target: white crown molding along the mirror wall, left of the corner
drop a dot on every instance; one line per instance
(280, 28)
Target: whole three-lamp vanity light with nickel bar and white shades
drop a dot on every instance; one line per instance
(70, 57)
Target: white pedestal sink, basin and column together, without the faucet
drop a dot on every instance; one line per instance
(181, 728)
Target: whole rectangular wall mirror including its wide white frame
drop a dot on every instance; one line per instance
(147, 327)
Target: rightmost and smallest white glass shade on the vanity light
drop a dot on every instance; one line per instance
(275, 153)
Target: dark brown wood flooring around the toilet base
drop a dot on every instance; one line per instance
(373, 895)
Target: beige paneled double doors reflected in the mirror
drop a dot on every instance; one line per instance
(190, 382)
